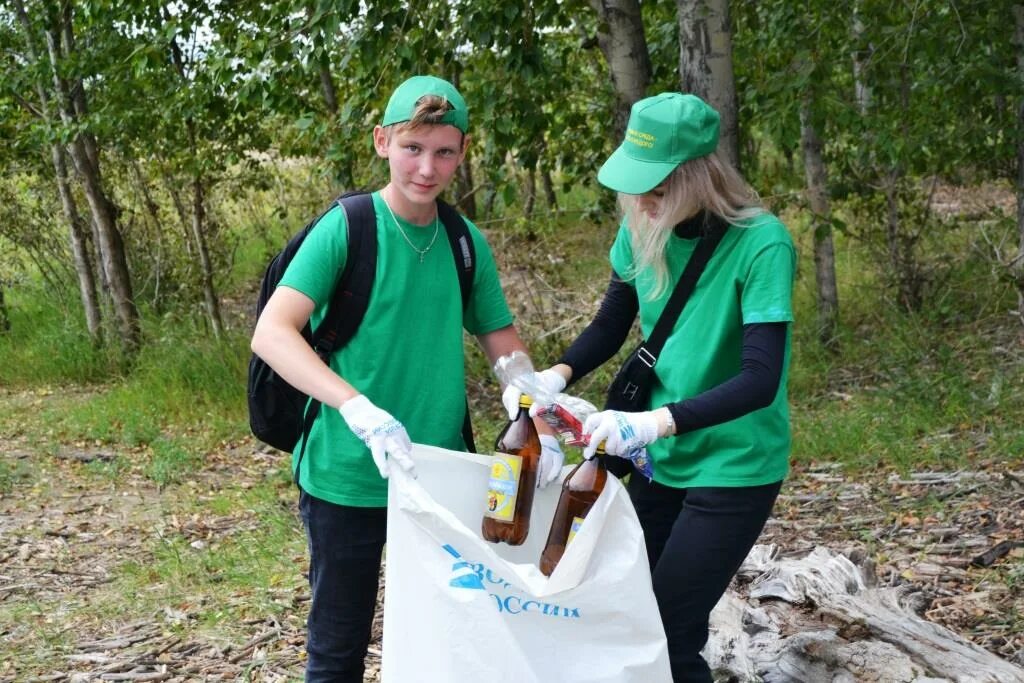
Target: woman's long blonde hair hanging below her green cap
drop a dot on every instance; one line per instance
(706, 184)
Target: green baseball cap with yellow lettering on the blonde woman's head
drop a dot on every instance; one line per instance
(664, 132)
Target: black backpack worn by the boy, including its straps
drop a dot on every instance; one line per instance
(278, 412)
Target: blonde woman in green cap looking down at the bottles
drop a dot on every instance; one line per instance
(717, 430)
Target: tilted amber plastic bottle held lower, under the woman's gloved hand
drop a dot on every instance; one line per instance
(580, 491)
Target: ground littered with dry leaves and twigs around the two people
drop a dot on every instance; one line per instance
(65, 541)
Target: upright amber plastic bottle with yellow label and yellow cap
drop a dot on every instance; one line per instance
(514, 480)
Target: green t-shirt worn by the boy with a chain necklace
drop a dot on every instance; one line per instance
(407, 357)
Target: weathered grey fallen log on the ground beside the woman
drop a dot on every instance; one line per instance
(822, 618)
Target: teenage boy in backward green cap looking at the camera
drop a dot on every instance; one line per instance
(401, 378)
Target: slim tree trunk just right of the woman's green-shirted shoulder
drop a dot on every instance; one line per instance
(825, 258)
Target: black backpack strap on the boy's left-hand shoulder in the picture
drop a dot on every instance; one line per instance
(352, 298)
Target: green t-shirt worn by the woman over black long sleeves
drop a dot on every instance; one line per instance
(749, 280)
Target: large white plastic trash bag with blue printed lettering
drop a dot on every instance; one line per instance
(459, 609)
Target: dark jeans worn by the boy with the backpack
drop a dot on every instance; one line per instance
(346, 547)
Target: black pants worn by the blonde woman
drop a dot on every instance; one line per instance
(697, 540)
